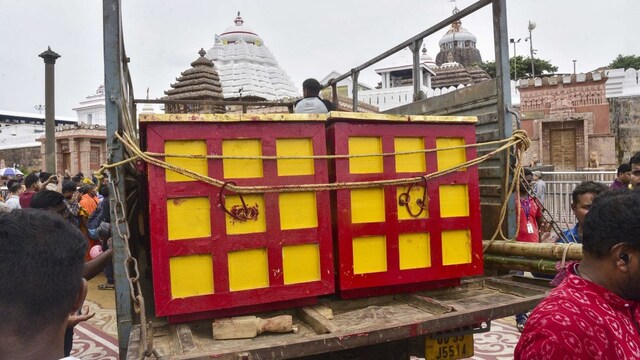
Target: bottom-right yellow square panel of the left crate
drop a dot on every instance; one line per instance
(301, 263)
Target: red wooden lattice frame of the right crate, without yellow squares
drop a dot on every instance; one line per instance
(354, 285)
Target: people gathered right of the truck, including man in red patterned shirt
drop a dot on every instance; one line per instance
(594, 311)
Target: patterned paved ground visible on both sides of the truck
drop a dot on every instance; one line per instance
(98, 340)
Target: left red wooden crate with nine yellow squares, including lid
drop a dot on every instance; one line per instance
(275, 251)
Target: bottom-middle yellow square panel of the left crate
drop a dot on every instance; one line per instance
(248, 269)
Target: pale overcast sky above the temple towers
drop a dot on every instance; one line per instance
(308, 38)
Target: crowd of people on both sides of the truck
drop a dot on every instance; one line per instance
(47, 227)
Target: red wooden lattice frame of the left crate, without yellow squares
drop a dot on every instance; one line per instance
(219, 244)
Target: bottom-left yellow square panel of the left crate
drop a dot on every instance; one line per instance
(191, 275)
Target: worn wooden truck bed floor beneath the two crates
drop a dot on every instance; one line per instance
(356, 323)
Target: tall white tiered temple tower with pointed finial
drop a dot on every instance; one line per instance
(247, 68)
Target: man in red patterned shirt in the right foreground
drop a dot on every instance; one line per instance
(594, 312)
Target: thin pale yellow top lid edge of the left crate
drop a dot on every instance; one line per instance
(177, 118)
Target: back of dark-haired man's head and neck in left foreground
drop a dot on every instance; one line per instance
(36, 300)
